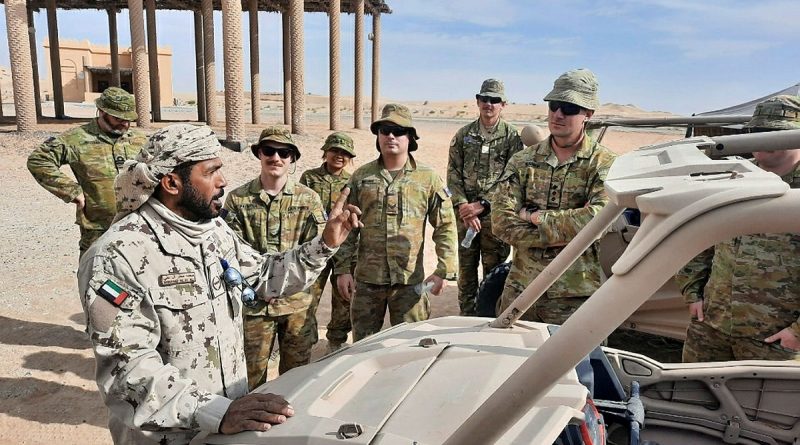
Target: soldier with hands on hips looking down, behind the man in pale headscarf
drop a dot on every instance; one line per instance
(95, 152)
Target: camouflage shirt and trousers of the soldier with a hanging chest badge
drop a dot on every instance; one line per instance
(476, 162)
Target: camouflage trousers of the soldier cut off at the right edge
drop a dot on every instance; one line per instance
(706, 344)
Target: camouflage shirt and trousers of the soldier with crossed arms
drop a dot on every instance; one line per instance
(568, 195)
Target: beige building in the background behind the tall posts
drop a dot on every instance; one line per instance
(86, 71)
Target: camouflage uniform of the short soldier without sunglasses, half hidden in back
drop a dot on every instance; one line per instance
(329, 188)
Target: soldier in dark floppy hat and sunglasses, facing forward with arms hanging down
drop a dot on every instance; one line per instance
(397, 195)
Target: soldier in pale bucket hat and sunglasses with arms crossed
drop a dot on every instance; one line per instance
(549, 192)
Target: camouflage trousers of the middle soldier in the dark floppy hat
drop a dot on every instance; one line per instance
(368, 307)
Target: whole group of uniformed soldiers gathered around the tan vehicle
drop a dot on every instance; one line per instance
(187, 297)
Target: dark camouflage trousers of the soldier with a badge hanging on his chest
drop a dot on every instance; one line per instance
(486, 249)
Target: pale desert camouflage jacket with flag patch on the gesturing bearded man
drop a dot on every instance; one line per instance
(170, 356)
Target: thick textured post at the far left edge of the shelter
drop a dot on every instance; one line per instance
(19, 51)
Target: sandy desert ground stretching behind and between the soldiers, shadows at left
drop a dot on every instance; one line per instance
(47, 389)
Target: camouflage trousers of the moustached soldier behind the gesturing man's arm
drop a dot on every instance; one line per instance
(294, 339)
